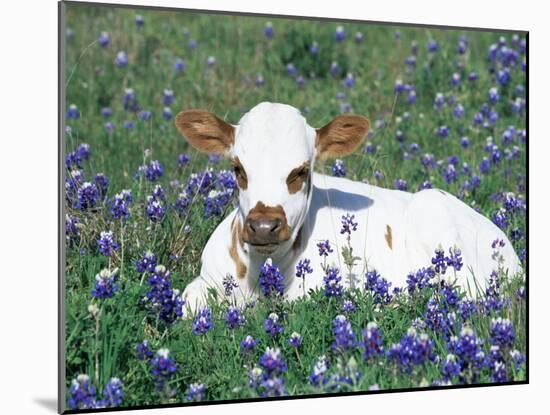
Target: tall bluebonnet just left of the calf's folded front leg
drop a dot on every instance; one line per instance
(161, 298)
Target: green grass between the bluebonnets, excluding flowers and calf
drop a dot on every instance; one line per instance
(103, 345)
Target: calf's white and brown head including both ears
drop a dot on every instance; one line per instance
(272, 150)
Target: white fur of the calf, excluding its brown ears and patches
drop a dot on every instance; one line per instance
(271, 140)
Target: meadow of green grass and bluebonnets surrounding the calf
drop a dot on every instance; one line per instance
(447, 110)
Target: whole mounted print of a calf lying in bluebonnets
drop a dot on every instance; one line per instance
(274, 207)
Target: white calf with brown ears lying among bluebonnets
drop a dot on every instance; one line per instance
(285, 209)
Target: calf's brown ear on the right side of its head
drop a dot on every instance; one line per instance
(341, 136)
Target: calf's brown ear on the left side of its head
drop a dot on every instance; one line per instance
(206, 132)
